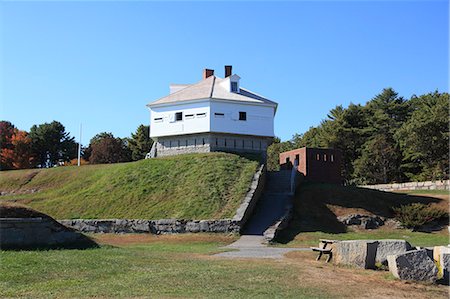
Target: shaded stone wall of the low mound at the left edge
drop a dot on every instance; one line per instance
(28, 233)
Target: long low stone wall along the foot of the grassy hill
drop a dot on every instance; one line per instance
(163, 226)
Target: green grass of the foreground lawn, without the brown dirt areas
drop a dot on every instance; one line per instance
(161, 269)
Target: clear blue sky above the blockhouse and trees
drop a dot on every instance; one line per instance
(100, 63)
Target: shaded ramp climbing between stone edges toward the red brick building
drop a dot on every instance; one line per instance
(271, 206)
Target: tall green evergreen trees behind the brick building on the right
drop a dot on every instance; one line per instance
(389, 139)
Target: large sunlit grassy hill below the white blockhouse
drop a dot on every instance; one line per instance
(196, 186)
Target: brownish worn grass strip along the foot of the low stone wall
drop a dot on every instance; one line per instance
(135, 239)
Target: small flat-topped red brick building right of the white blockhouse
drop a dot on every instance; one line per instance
(316, 164)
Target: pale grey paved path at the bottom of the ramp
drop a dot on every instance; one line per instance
(253, 247)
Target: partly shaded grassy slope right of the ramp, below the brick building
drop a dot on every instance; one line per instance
(317, 207)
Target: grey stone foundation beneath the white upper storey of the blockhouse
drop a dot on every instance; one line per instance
(211, 142)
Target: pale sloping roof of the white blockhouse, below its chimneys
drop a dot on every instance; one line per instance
(211, 88)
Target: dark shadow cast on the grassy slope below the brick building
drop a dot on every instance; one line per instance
(313, 203)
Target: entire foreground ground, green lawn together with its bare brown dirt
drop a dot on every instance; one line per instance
(182, 266)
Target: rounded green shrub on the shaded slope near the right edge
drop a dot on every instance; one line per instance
(417, 214)
